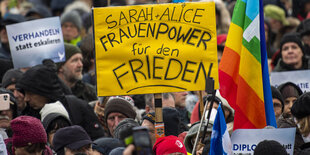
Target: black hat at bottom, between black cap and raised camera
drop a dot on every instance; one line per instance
(105, 145)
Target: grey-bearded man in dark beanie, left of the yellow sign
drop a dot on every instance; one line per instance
(70, 72)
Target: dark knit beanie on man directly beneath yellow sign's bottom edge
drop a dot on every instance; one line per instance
(121, 105)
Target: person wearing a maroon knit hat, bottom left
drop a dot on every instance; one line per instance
(29, 137)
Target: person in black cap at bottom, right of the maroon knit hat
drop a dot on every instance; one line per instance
(72, 140)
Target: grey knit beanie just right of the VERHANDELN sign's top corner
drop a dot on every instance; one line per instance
(72, 17)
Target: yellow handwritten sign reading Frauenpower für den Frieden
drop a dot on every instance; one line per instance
(155, 48)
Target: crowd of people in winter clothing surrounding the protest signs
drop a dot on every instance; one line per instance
(52, 108)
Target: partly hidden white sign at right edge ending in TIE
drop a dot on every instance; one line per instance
(300, 78)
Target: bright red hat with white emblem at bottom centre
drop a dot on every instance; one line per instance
(169, 144)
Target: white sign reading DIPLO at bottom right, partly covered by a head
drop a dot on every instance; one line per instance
(244, 141)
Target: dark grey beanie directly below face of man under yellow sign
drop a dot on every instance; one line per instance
(124, 128)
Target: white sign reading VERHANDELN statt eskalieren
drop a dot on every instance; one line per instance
(36, 40)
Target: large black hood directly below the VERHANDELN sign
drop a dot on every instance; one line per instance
(43, 81)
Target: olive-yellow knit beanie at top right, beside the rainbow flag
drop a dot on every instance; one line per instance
(275, 12)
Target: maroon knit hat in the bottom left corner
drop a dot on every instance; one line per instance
(27, 130)
